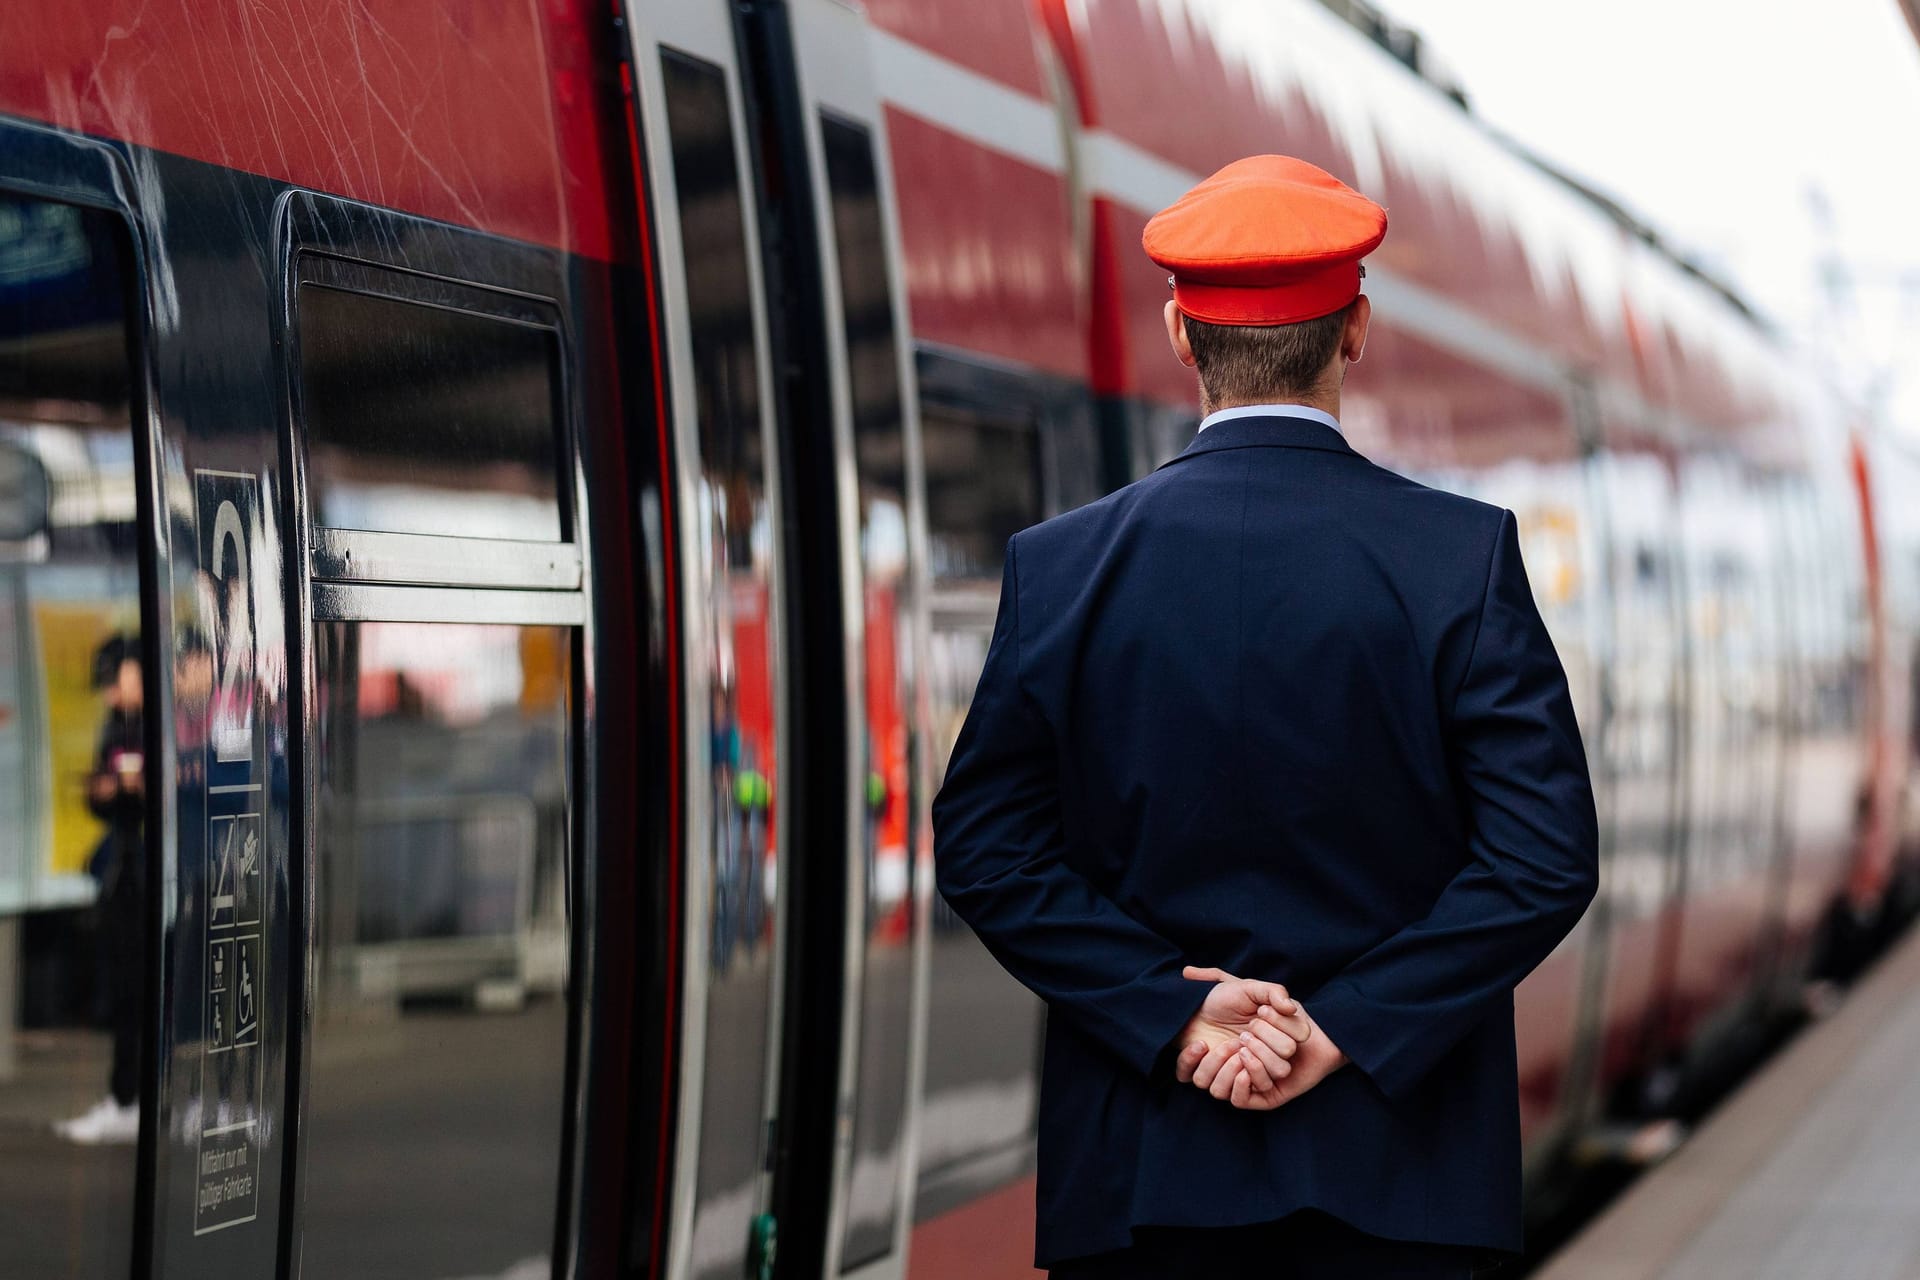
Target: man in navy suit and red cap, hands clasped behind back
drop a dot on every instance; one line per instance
(1272, 792)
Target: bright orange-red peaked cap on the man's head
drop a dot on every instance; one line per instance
(1266, 241)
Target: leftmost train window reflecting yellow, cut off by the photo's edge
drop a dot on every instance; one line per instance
(74, 857)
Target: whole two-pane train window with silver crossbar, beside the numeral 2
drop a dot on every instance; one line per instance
(441, 774)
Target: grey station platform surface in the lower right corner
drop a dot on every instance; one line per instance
(1810, 1172)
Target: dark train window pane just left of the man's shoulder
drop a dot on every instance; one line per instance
(984, 486)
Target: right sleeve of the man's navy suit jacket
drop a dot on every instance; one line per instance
(1533, 853)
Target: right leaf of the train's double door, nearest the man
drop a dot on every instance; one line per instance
(865, 1172)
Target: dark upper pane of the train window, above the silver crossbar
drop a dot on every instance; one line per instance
(427, 419)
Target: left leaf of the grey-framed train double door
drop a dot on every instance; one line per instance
(731, 525)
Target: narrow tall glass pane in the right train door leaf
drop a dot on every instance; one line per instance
(892, 830)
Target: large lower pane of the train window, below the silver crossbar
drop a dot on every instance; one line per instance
(441, 962)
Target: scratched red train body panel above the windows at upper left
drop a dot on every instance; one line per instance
(487, 116)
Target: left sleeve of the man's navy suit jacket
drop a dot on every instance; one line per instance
(997, 857)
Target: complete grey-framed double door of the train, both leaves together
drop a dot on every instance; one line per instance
(769, 168)
